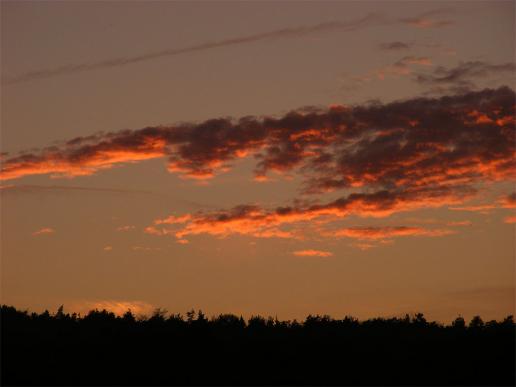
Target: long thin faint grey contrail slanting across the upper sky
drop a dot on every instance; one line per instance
(276, 34)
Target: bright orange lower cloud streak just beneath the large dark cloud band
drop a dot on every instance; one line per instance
(301, 222)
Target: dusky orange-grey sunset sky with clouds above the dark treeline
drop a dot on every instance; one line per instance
(271, 158)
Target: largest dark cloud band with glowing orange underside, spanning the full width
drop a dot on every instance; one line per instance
(464, 138)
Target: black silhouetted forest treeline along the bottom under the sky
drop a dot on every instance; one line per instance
(101, 348)
